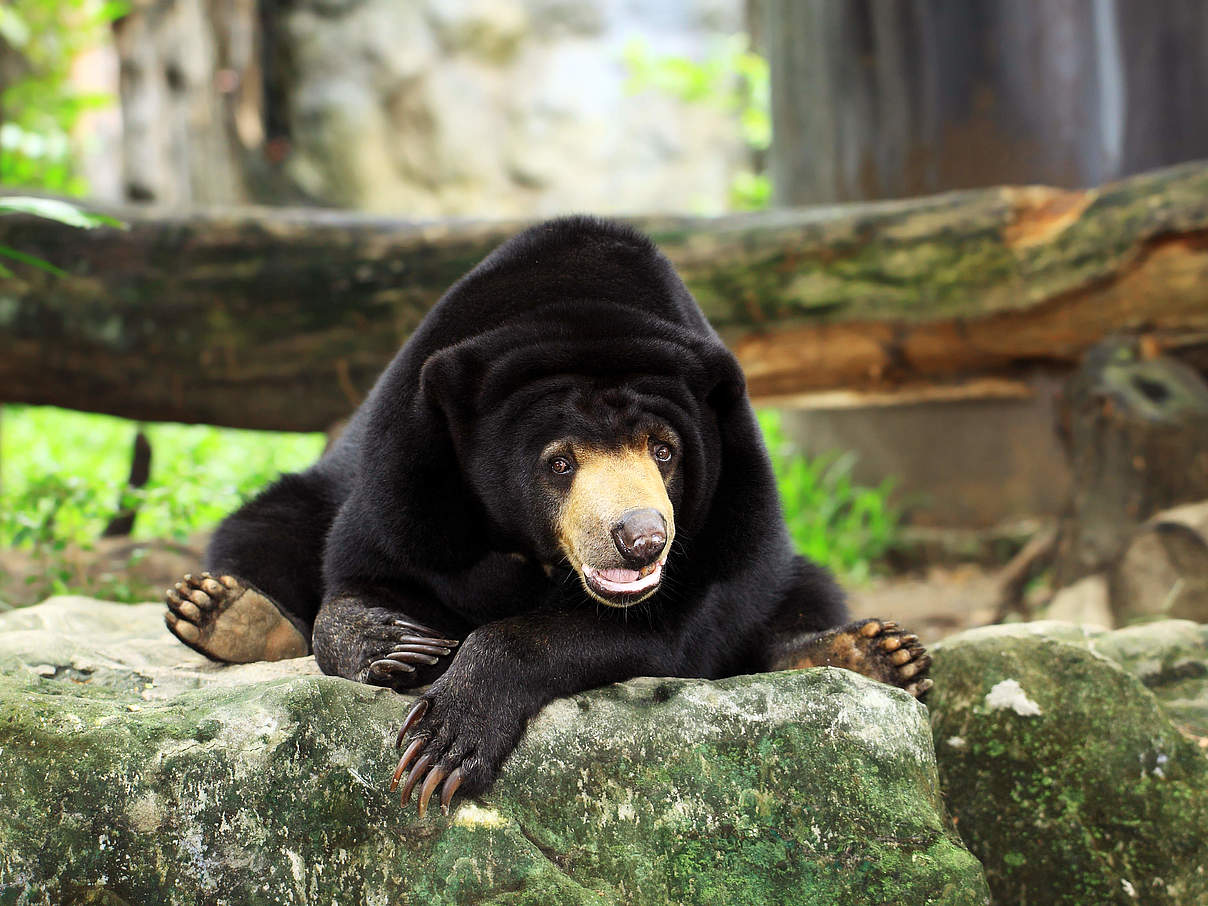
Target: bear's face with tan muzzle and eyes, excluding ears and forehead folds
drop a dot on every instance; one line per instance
(591, 478)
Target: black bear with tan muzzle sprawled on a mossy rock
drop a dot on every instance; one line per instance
(557, 484)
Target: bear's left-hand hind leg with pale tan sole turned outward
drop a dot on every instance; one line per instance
(264, 586)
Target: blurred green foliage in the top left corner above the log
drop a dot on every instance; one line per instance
(38, 106)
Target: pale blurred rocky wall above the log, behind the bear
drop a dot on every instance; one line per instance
(497, 108)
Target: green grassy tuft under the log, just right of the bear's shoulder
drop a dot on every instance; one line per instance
(834, 521)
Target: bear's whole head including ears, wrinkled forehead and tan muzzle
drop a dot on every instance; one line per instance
(574, 461)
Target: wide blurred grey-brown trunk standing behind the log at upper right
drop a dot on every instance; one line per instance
(875, 100)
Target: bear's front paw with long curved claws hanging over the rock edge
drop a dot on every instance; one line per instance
(452, 746)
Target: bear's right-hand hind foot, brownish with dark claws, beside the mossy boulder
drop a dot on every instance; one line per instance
(875, 648)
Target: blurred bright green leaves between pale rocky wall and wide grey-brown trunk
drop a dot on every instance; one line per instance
(733, 79)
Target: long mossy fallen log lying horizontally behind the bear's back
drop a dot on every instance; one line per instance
(274, 318)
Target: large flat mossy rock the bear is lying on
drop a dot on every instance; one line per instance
(135, 771)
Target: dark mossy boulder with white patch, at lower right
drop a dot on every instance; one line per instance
(1075, 760)
